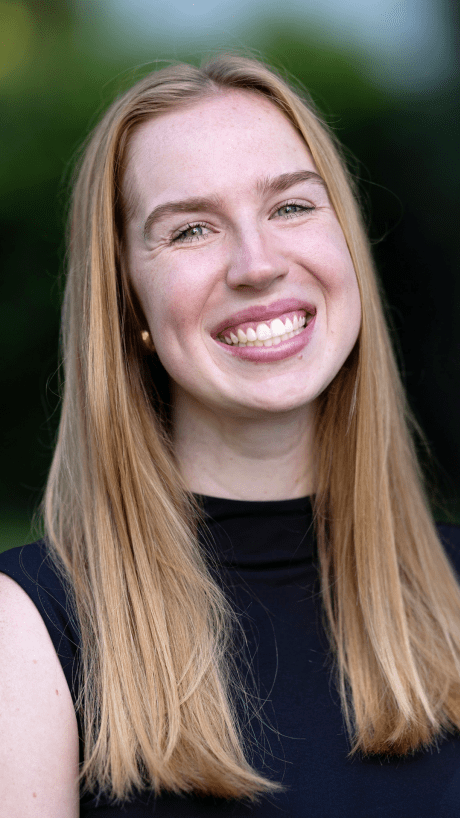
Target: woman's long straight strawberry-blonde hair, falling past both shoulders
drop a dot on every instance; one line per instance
(159, 681)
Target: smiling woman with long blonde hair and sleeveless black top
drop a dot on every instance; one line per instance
(243, 605)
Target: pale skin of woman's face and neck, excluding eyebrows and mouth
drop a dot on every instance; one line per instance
(243, 429)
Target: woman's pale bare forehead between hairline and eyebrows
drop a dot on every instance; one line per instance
(208, 143)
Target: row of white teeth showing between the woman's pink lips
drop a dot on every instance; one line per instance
(267, 334)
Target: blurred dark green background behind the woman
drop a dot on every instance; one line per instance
(385, 75)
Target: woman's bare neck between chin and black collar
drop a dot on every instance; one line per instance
(245, 458)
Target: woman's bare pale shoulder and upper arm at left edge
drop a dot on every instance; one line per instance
(38, 727)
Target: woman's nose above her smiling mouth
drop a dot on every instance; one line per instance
(255, 263)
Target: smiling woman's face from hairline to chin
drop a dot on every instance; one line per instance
(234, 239)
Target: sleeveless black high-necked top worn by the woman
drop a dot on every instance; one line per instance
(267, 564)
